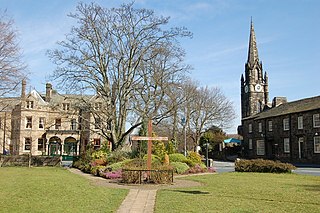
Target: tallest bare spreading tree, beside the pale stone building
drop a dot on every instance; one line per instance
(126, 56)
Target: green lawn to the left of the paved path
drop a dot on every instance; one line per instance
(48, 189)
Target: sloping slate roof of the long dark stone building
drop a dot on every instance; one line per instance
(301, 105)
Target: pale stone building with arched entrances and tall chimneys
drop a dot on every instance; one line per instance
(48, 124)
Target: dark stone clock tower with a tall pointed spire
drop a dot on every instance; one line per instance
(254, 84)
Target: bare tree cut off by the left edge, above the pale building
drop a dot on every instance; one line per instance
(11, 66)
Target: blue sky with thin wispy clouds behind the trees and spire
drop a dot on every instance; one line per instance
(287, 33)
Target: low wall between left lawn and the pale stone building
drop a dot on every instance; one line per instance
(23, 160)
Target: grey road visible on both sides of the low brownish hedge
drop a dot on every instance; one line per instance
(223, 166)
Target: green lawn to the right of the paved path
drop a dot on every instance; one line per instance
(244, 192)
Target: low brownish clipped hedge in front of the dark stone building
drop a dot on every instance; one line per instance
(260, 165)
